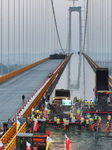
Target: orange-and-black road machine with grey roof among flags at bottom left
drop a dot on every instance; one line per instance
(37, 140)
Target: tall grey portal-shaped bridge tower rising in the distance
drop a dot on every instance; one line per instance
(78, 9)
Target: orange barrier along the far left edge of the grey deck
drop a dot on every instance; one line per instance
(16, 72)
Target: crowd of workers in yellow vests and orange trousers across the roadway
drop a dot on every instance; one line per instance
(91, 122)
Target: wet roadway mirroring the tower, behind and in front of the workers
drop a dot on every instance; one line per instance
(79, 77)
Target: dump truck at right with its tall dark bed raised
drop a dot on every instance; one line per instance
(102, 91)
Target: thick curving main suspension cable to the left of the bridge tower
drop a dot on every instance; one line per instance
(56, 26)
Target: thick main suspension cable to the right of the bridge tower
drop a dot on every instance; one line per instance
(85, 30)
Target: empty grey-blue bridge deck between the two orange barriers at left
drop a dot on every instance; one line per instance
(26, 83)
